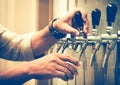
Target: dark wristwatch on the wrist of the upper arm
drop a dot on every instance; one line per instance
(54, 32)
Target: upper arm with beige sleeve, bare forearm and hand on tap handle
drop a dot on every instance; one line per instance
(19, 47)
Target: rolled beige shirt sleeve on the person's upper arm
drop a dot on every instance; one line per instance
(15, 47)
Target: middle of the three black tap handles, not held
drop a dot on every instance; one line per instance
(96, 14)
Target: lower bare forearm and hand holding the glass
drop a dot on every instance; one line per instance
(50, 66)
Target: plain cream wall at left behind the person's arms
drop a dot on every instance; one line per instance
(19, 16)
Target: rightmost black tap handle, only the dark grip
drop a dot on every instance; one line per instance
(111, 12)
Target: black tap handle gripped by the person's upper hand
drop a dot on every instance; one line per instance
(79, 20)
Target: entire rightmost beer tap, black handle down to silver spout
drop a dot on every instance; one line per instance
(111, 12)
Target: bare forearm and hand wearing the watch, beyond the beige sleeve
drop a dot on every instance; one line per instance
(41, 40)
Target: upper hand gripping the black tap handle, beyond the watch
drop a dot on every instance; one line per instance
(64, 24)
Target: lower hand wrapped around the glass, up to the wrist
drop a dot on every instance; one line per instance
(54, 65)
